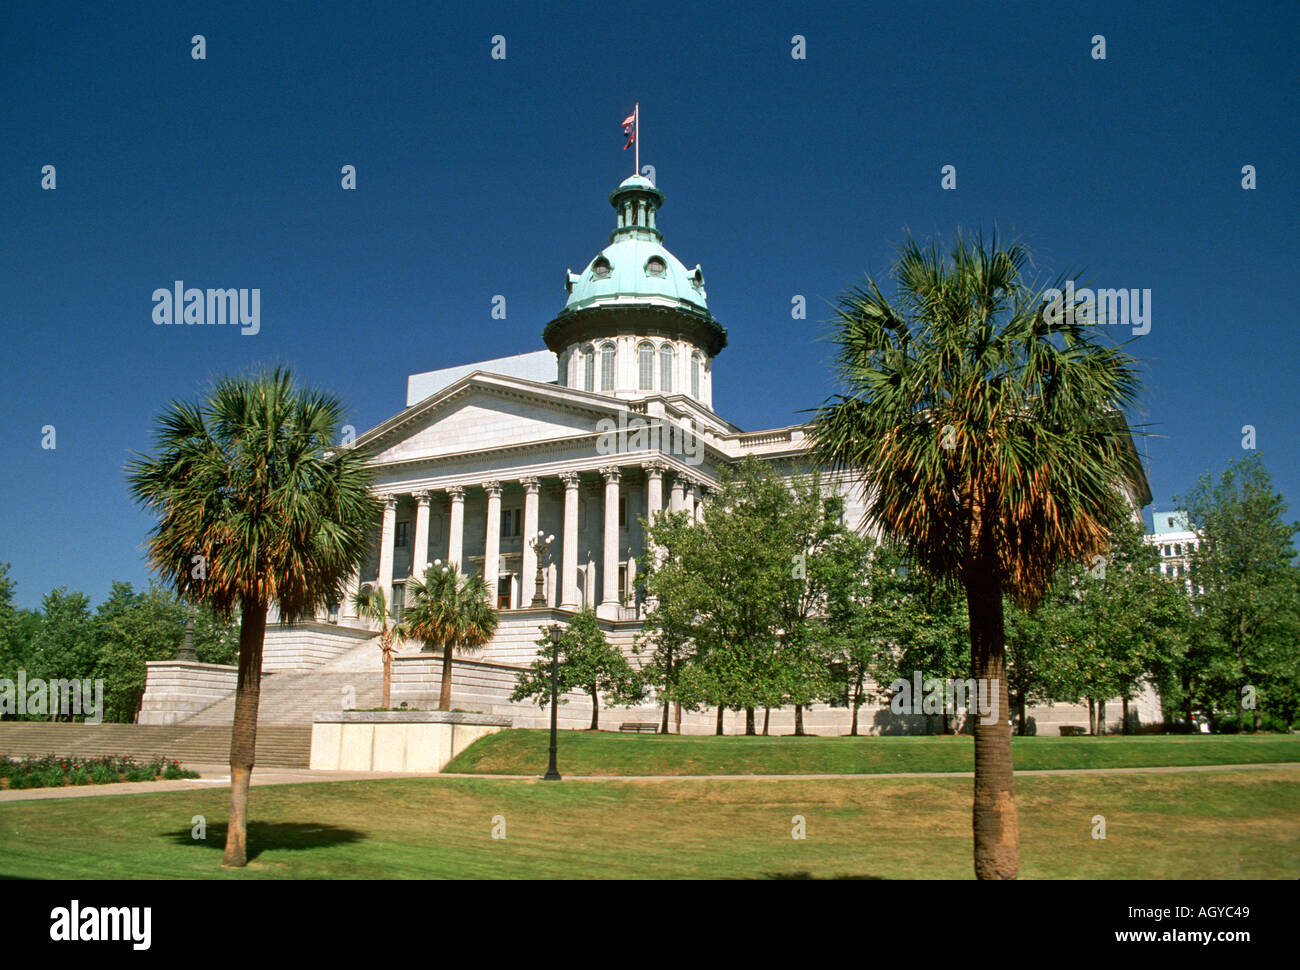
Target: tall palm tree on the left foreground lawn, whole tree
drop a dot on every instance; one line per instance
(255, 506)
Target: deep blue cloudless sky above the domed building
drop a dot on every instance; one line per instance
(480, 177)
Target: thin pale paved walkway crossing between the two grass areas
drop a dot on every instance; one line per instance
(219, 777)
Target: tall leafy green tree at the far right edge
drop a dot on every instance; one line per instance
(1246, 636)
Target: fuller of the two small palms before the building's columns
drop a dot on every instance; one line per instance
(450, 610)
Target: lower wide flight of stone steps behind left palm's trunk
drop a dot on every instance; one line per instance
(279, 747)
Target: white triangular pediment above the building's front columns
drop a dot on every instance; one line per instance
(486, 413)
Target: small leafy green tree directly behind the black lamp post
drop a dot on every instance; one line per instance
(588, 662)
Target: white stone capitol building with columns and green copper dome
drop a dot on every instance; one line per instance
(580, 441)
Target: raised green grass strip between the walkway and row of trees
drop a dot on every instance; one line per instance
(606, 754)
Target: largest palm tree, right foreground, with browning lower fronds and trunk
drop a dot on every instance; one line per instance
(990, 443)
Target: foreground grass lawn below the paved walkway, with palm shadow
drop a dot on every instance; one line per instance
(1223, 825)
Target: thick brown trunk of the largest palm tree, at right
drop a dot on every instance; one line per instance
(996, 829)
